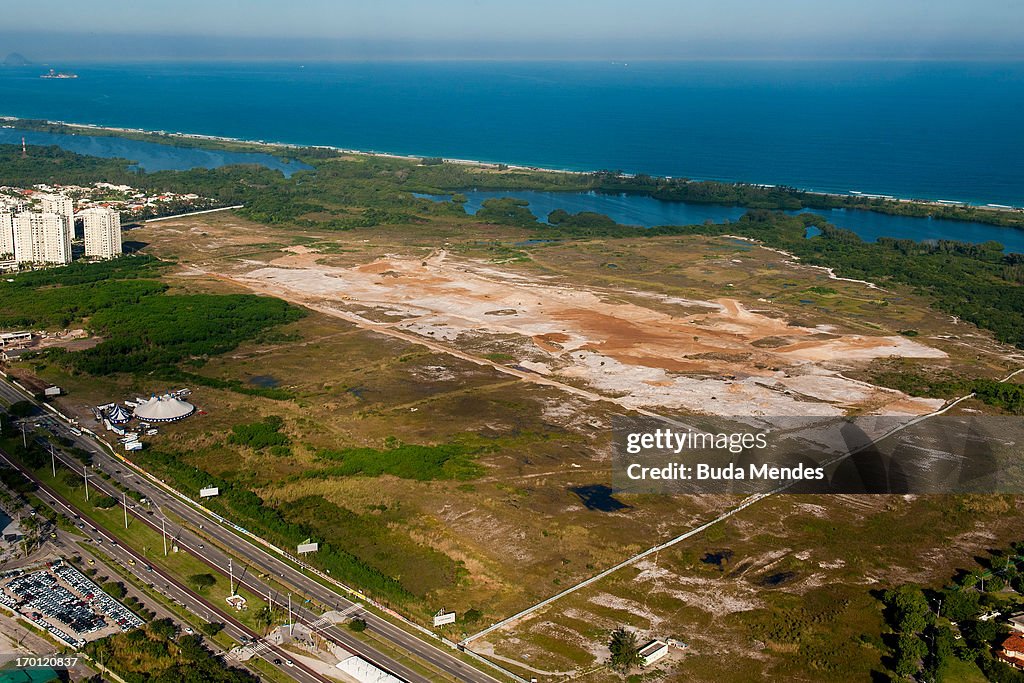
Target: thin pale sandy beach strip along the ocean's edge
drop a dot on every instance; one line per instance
(851, 195)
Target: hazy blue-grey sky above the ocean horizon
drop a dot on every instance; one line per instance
(604, 29)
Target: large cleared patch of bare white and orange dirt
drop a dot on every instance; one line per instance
(719, 357)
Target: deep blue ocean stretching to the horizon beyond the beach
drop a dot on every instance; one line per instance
(931, 131)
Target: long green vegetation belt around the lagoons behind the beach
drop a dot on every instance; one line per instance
(977, 283)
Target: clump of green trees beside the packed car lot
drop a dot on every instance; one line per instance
(157, 654)
